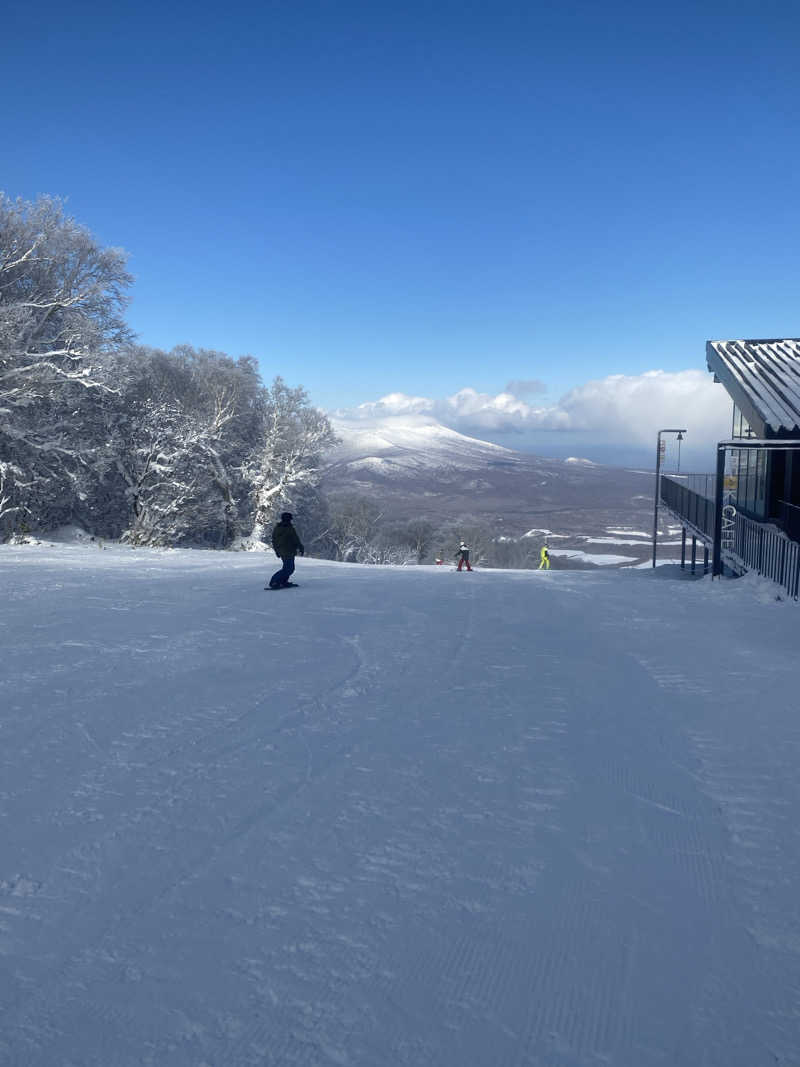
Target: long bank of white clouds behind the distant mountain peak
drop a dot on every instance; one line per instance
(620, 409)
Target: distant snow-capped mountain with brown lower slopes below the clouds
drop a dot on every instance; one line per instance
(414, 466)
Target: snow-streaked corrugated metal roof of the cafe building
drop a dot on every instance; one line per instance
(763, 376)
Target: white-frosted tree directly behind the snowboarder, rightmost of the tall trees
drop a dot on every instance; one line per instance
(295, 440)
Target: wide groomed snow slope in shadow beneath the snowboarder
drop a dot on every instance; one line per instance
(394, 817)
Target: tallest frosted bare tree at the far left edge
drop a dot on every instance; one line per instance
(61, 316)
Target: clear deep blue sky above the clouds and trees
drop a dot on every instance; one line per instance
(426, 198)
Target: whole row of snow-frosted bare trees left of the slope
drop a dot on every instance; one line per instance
(161, 449)
